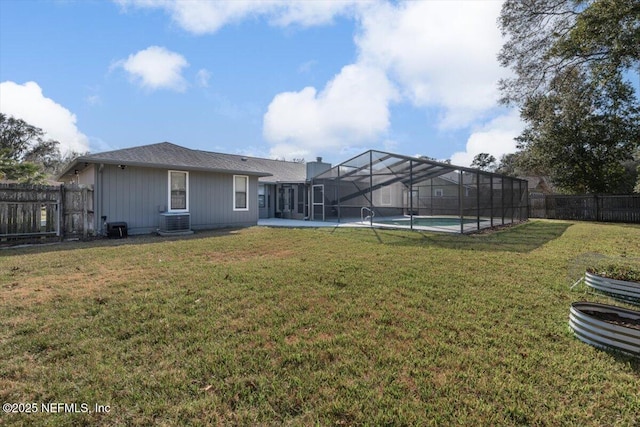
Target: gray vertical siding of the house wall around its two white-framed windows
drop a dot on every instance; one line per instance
(138, 195)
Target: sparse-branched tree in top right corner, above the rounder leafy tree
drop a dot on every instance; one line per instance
(545, 38)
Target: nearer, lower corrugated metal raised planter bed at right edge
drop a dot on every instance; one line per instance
(606, 326)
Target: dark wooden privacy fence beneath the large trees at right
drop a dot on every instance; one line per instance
(618, 208)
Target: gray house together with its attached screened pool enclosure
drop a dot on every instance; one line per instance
(171, 189)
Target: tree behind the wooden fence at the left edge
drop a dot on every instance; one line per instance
(24, 153)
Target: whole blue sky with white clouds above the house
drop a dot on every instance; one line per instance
(273, 78)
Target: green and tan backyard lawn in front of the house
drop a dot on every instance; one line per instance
(313, 327)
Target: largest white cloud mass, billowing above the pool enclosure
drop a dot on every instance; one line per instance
(438, 54)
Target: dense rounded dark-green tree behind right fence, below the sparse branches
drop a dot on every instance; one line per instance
(580, 135)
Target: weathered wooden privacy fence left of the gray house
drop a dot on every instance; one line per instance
(37, 213)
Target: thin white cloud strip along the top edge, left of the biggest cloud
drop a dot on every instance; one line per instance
(202, 17)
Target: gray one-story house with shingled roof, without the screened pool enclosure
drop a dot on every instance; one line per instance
(168, 188)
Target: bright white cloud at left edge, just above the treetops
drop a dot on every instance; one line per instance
(27, 102)
